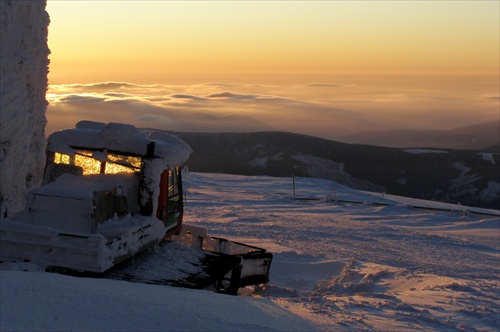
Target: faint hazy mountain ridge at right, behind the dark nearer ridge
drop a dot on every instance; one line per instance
(484, 136)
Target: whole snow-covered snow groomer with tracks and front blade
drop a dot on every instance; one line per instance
(111, 205)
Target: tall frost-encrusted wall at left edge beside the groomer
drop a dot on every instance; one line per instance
(23, 84)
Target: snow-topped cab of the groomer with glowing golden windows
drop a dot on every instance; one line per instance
(121, 170)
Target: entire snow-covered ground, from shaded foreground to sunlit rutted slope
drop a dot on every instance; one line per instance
(343, 260)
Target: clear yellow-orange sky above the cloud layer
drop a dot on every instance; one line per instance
(177, 41)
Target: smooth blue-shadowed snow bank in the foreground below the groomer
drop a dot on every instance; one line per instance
(49, 302)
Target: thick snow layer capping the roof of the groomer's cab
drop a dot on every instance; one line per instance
(119, 137)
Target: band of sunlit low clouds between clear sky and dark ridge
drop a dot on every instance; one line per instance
(329, 110)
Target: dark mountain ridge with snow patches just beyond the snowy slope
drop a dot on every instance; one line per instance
(464, 176)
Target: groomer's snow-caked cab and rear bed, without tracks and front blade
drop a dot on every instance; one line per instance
(103, 199)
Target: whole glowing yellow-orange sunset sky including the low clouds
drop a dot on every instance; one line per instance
(407, 63)
